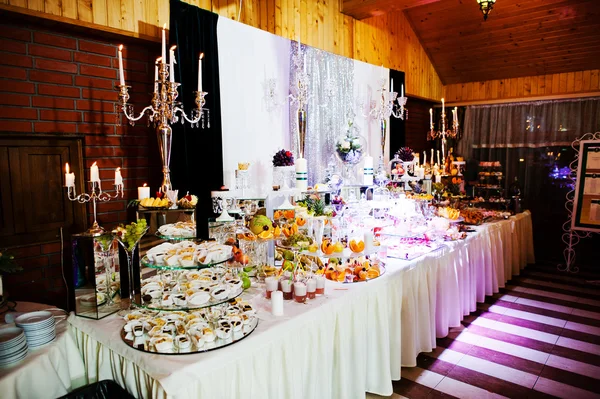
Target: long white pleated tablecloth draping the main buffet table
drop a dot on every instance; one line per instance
(353, 340)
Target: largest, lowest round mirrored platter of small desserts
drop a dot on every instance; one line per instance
(178, 332)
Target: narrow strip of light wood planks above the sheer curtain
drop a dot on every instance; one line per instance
(571, 83)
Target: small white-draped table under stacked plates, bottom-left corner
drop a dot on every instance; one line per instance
(49, 371)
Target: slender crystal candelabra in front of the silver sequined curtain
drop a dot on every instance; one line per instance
(299, 96)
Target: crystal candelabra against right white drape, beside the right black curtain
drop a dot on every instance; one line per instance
(389, 104)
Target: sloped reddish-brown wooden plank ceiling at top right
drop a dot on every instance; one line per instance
(520, 37)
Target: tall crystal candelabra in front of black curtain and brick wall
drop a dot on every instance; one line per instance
(164, 111)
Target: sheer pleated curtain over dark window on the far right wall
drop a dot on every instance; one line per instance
(532, 140)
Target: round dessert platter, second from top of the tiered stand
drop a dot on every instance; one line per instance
(187, 255)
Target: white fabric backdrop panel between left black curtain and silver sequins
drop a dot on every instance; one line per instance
(248, 57)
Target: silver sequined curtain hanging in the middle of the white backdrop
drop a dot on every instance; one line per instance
(329, 108)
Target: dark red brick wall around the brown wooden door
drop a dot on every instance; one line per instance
(57, 80)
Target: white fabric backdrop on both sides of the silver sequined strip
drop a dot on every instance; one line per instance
(248, 57)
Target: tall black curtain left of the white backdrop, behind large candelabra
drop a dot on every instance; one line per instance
(197, 153)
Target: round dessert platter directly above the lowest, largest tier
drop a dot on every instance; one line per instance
(189, 289)
